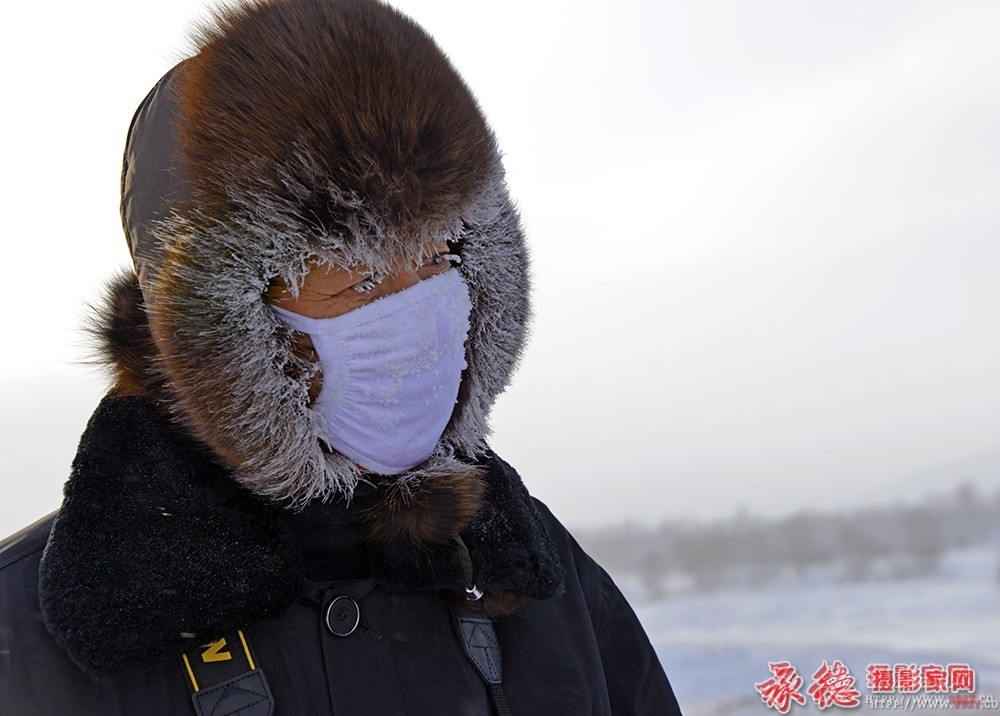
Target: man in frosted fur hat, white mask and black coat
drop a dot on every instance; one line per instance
(286, 503)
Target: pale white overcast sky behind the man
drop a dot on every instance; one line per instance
(766, 241)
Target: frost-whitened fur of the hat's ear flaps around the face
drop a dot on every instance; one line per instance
(231, 360)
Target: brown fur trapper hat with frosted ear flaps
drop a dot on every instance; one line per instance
(305, 128)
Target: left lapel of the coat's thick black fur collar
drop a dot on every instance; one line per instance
(143, 558)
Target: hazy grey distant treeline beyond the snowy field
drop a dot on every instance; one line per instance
(894, 541)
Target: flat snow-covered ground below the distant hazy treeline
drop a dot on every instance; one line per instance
(716, 646)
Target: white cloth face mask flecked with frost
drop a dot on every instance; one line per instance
(391, 371)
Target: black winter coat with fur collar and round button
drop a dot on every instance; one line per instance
(581, 651)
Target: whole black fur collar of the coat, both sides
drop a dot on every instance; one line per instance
(156, 547)
